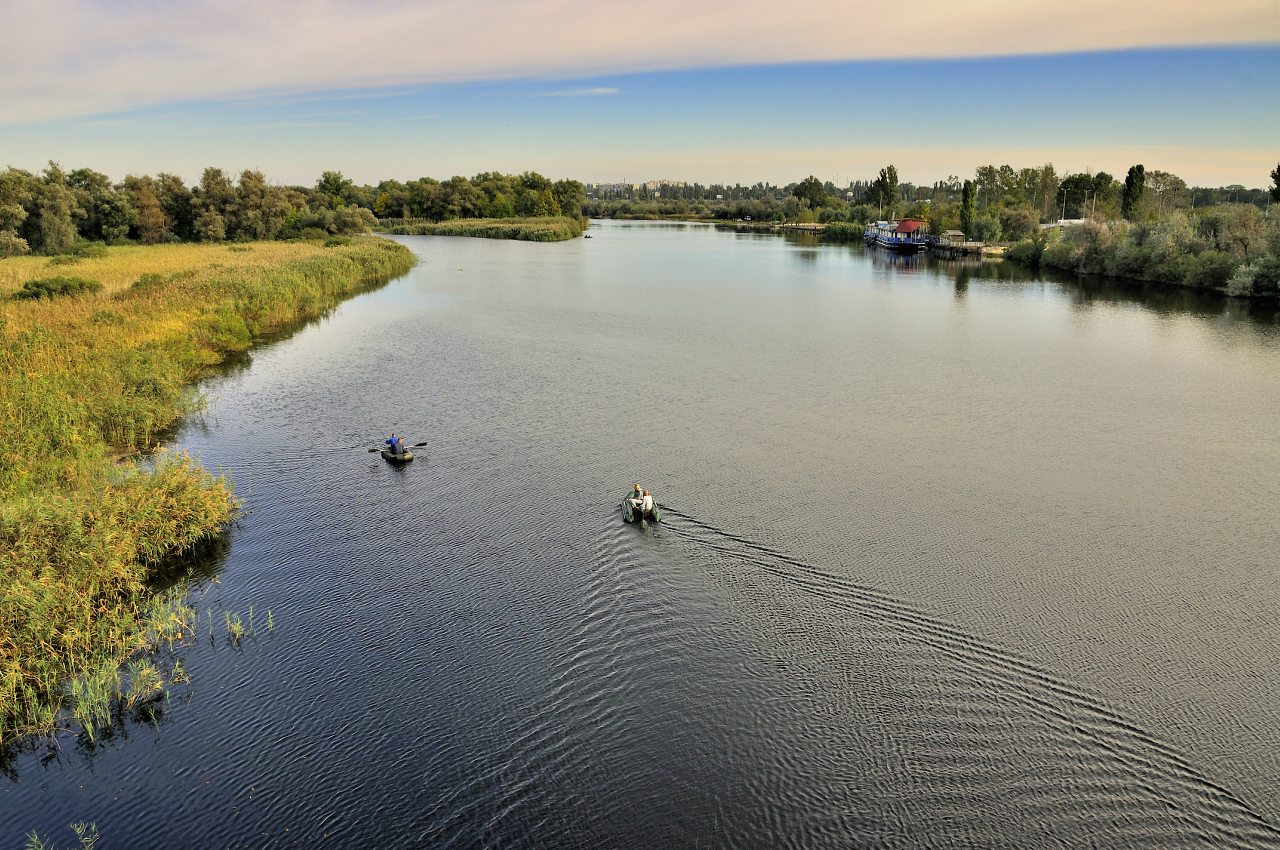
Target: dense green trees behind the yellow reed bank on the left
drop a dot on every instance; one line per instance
(56, 211)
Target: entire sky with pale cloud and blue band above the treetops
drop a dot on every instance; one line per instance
(604, 92)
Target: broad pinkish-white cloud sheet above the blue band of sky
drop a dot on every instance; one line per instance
(67, 58)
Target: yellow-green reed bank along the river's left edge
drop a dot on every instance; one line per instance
(95, 376)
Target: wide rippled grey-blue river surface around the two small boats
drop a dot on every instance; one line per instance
(954, 559)
